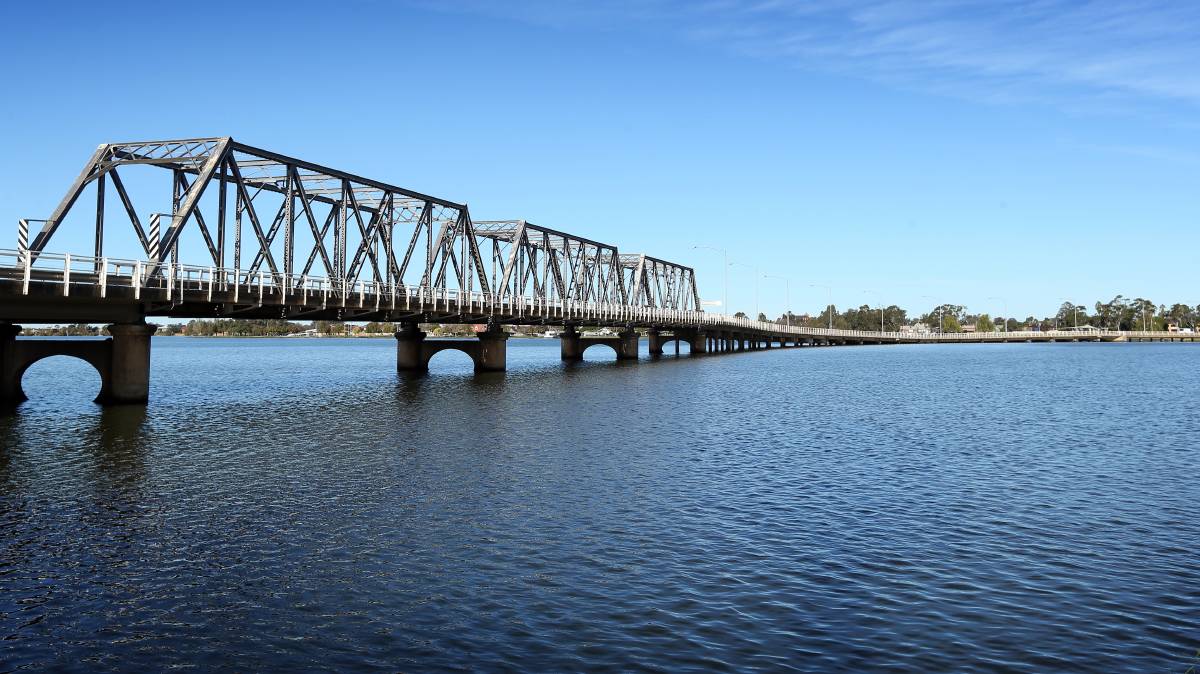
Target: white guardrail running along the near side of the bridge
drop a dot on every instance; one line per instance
(176, 280)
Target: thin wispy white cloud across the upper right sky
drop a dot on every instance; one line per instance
(1111, 53)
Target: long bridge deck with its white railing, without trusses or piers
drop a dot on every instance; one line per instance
(56, 288)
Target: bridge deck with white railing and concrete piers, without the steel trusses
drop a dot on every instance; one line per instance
(58, 288)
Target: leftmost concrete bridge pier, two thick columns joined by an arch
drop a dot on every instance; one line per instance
(123, 362)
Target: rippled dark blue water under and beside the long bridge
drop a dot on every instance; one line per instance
(296, 505)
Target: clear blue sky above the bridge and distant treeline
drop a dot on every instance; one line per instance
(1005, 157)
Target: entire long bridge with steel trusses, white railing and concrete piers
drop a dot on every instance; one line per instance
(278, 237)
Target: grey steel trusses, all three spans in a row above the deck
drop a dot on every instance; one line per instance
(295, 221)
